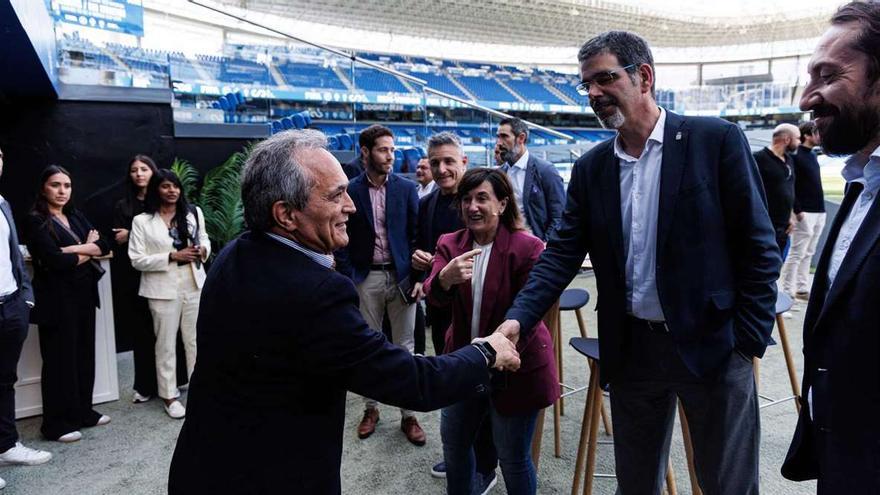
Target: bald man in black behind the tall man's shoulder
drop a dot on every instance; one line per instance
(777, 174)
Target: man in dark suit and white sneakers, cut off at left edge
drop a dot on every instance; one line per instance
(16, 299)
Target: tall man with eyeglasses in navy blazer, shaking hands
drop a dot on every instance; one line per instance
(672, 214)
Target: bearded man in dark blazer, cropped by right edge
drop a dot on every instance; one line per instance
(837, 440)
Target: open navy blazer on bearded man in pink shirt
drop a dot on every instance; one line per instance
(401, 218)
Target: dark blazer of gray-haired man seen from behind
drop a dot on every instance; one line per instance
(281, 340)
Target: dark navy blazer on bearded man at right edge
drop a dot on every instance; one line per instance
(842, 337)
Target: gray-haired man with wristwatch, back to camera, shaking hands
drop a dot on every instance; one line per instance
(281, 339)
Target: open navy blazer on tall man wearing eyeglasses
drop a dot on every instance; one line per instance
(717, 259)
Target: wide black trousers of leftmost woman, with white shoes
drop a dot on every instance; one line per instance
(68, 377)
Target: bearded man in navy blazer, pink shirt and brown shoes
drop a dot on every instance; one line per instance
(381, 240)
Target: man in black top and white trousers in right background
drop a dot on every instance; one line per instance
(809, 210)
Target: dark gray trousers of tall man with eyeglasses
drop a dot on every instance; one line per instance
(722, 413)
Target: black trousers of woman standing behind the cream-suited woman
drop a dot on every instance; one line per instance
(144, 349)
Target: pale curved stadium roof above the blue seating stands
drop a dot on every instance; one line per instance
(562, 23)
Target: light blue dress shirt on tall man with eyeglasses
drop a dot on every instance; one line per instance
(639, 207)
